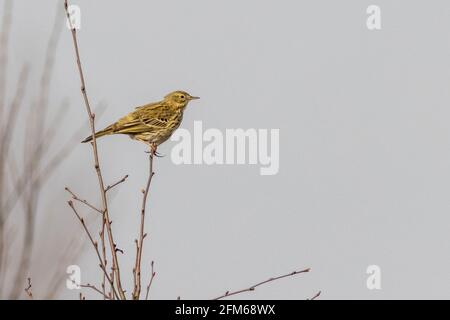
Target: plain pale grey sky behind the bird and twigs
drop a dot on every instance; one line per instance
(364, 141)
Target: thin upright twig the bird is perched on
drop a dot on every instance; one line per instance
(142, 235)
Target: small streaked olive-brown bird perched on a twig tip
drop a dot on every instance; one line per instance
(152, 123)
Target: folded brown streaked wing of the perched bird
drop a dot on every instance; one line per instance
(144, 119)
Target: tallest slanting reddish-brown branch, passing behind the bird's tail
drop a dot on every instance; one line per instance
(106, 220)
